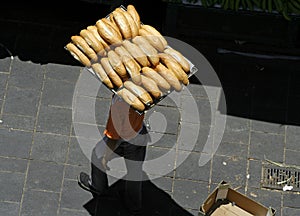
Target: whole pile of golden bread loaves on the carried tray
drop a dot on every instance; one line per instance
(132, 58)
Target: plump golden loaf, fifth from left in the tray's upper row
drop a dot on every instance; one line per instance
(108, 33)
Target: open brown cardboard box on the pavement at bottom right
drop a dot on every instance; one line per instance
(225, 201)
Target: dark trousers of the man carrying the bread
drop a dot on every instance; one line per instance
(134, 152)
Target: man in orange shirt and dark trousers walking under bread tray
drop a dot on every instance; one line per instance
(125, 136)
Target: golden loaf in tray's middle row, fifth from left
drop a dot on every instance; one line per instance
(136, 52)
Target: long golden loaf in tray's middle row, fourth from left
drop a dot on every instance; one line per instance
(132, 67)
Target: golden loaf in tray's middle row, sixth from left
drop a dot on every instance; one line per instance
(147, 48)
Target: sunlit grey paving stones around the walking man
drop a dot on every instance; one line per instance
(42, 154)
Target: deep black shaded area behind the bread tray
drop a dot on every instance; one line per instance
(264, 85)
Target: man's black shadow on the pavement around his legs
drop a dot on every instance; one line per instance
(156, 202)
